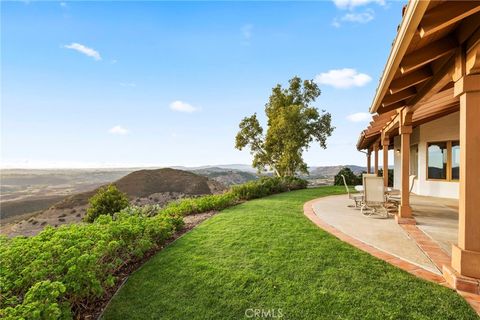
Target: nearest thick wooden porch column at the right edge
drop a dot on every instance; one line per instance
(466, 255)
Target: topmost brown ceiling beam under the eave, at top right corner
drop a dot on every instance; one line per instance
(445, 15)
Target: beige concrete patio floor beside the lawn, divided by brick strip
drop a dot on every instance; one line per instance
(437, 218)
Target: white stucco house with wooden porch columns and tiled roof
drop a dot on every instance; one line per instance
(427, 109)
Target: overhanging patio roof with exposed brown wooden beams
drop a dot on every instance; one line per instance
(421, 66)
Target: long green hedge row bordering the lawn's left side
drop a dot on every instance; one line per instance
(56, 273)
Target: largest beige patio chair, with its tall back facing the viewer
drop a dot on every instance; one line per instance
(374, 196)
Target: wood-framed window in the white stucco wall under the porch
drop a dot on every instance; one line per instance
(443, 160)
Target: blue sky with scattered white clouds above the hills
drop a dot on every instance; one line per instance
(128, 84)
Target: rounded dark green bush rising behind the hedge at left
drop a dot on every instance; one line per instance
(108, 200)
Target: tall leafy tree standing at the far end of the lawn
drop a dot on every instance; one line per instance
(292, 125)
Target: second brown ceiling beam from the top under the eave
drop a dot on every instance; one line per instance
(428, 54)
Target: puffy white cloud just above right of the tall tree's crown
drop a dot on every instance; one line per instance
(343, 78)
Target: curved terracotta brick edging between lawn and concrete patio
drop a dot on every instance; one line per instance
(472, 299)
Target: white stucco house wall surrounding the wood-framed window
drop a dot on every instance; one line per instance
(443, 129)
